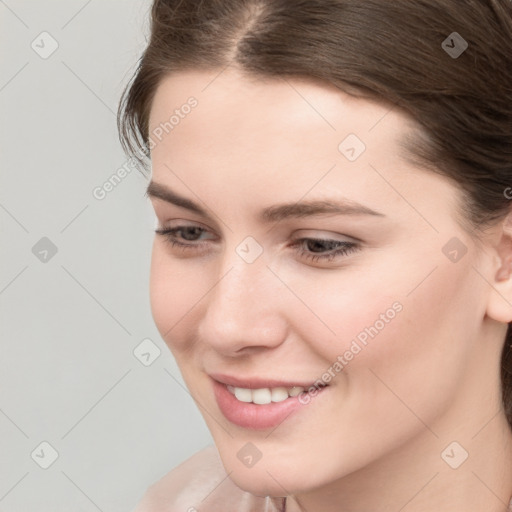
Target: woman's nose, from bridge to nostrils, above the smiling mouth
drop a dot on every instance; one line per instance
(244, 310)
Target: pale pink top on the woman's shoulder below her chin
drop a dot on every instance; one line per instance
(200, 484)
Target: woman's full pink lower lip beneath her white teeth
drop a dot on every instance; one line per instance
(255, 416)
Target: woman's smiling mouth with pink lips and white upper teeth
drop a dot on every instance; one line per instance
(259, 403)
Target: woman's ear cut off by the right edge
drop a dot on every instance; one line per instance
(499, 305)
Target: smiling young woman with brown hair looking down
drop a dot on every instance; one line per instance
(331, 267)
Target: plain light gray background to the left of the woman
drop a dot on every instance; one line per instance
(71, 321)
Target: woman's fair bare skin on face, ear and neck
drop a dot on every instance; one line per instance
(374, 440)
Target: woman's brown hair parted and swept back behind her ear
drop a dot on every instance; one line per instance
(397, 52)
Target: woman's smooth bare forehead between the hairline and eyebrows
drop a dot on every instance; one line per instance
(267, 140)
